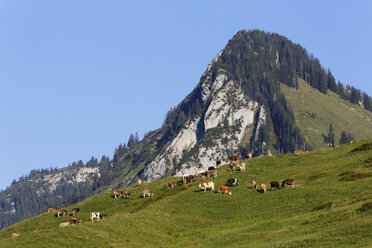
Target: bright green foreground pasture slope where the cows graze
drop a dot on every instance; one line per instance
(186, 217)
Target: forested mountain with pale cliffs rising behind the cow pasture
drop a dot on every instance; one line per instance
(261, 94)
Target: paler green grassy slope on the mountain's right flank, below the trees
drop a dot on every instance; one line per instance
(314, 111)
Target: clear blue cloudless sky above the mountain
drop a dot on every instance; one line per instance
(77, 77)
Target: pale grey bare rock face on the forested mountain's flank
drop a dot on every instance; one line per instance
(225, 123)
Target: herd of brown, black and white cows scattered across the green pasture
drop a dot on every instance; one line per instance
(211, 173)
